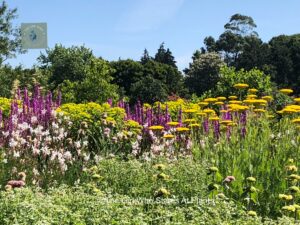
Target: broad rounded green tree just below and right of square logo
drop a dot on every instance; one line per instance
(79, 74)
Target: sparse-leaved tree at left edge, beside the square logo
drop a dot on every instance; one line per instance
(10, 37)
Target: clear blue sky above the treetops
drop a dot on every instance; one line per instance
(123, 28)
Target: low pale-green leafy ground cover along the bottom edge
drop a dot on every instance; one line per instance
(76, 206)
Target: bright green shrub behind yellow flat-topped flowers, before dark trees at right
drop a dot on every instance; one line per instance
(229, 76)
